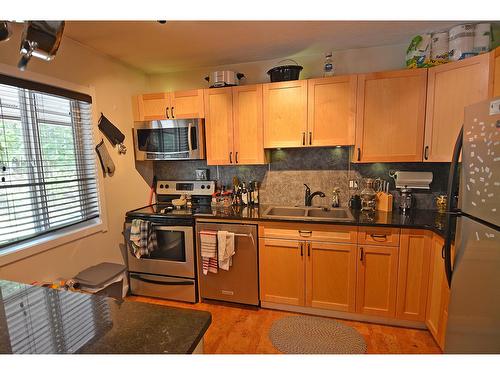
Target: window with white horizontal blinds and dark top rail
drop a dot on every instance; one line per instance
(47, 160)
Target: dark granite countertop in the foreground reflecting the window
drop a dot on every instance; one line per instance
(41, 320)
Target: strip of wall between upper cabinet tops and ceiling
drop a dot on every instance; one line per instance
(361, 60)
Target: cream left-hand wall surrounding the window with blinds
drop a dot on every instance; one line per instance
(114, 84)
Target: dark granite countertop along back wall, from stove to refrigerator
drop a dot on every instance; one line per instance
(416, 218)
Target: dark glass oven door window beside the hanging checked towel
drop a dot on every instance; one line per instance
(171, 246)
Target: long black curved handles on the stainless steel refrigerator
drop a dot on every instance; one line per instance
(451, 188)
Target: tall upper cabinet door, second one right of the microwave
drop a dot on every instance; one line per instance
(248, 125)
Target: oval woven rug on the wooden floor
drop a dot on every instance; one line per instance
(314, 335)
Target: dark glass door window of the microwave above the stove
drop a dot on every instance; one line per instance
(172, 140)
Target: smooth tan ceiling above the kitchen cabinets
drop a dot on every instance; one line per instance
(184, 45)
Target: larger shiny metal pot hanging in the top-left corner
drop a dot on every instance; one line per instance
(40, 39)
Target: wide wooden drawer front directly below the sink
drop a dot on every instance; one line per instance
(310, 232)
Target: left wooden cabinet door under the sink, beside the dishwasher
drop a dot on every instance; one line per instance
(281, 268)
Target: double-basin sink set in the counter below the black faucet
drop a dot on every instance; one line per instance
(309, 213)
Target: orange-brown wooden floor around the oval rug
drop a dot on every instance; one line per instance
(240, 330)
